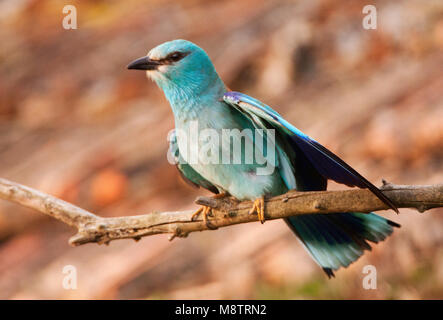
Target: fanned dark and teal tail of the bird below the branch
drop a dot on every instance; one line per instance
(338, 239)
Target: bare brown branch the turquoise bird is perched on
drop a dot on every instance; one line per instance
(225, 211)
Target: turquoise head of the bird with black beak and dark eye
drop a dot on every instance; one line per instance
(179, 67)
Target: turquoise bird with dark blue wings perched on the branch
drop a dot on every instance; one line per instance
(196, 94)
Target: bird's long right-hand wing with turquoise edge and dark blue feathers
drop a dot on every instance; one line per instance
(327, 164)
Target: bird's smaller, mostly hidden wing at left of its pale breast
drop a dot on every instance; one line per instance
(188, 174)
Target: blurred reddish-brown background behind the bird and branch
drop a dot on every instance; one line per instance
(75, 123)
